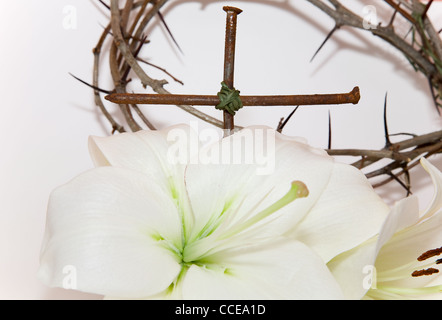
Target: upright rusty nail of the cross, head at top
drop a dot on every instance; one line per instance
(229, 58)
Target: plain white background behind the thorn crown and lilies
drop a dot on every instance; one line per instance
(47, 115)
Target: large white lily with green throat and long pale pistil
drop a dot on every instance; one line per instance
(143, 226)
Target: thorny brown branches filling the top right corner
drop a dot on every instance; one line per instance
(422, 45)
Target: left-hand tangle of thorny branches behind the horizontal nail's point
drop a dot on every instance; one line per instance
(127, 26)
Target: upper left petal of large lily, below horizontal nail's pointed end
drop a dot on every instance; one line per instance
(160, 154)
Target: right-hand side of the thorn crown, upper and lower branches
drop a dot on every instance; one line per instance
(422, 47)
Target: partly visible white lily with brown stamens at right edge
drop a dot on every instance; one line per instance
(405, 255)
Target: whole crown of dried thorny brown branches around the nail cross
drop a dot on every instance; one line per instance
(422, 46)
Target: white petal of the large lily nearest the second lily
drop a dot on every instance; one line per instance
(347, 200)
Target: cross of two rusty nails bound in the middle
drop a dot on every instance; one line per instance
(229, 61)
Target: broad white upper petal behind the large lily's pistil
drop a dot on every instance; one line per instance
(239, 190)
